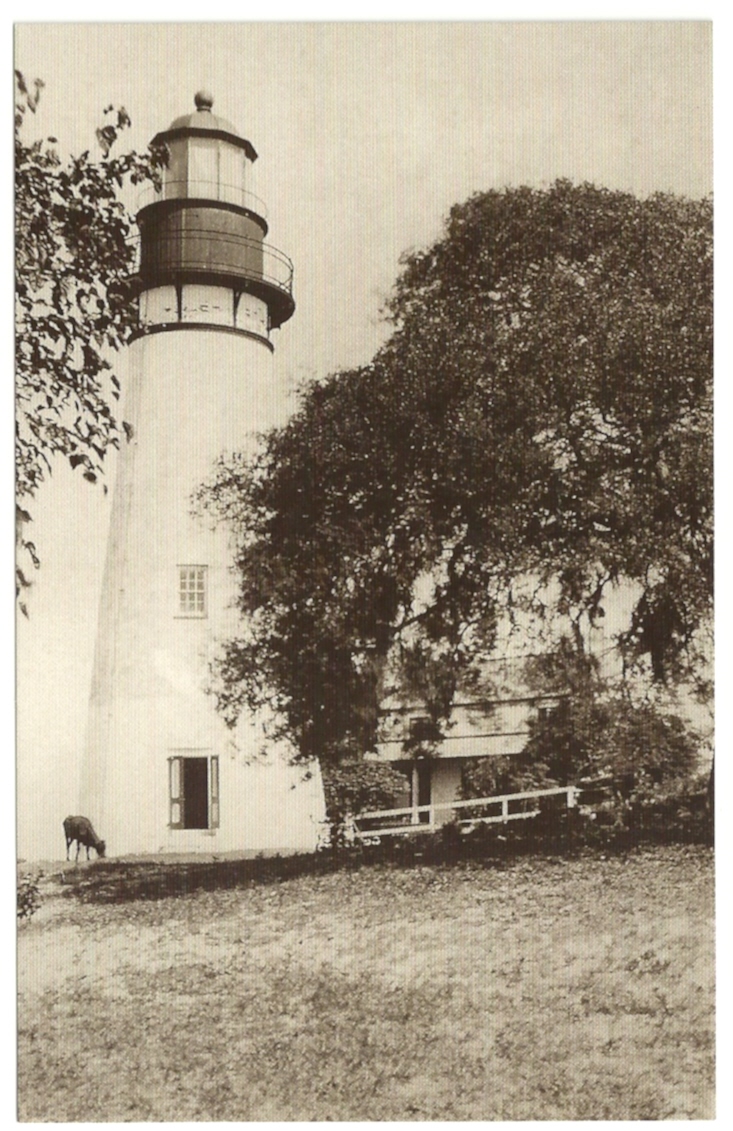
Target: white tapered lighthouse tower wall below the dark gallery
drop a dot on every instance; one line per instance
(201, 383)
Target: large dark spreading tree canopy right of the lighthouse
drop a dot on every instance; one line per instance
(537, 429)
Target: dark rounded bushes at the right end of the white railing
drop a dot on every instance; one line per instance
(636, 767)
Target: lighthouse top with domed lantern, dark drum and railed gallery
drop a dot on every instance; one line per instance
(204, 260)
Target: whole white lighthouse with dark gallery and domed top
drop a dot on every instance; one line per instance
(162, 772)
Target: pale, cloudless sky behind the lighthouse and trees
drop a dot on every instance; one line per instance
(367, 135)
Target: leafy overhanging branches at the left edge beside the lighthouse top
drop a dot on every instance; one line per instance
(74, 251)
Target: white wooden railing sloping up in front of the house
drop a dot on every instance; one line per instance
(417, 823)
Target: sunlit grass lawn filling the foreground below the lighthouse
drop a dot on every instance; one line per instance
(540, 989)
